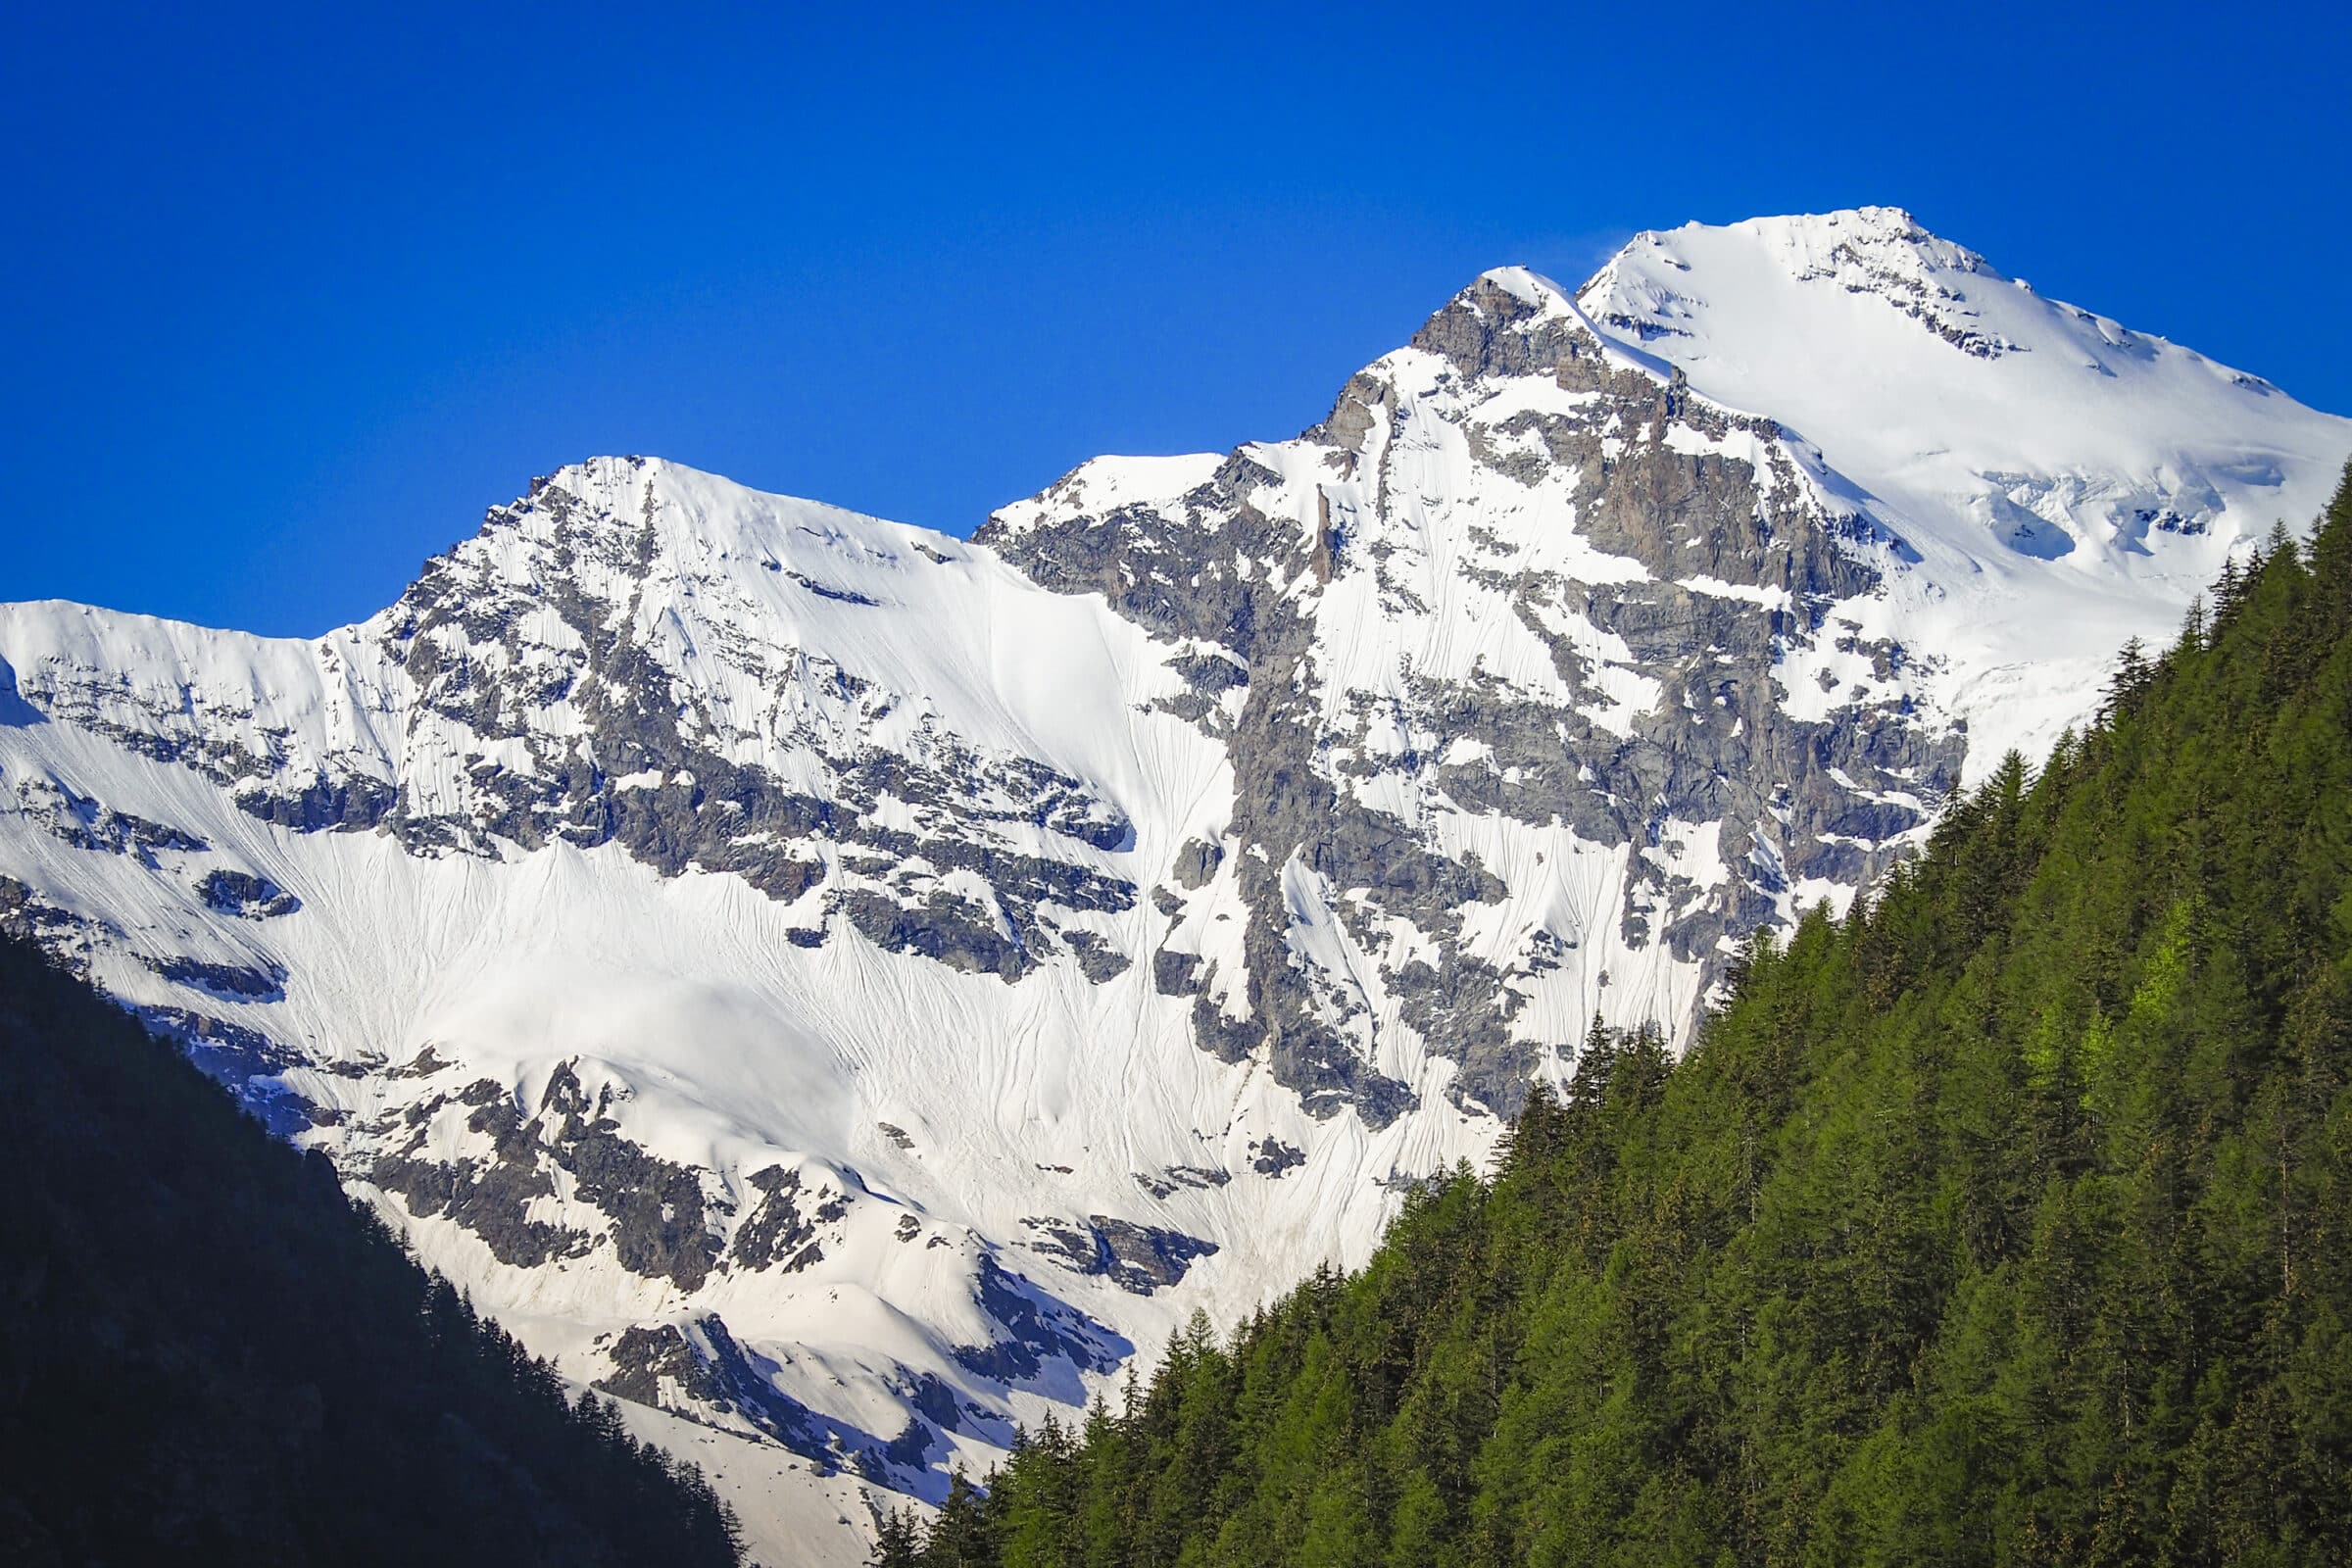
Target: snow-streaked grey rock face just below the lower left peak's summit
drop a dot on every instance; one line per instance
(490, 650)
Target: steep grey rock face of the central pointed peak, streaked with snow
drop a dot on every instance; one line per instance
(1643, 706)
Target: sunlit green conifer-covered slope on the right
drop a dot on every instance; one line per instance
(1998, 1224)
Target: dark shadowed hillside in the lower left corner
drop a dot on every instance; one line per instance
(211, 1358)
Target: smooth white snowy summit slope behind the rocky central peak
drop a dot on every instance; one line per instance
(2069, 483)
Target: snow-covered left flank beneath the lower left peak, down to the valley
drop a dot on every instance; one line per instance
(309, 857)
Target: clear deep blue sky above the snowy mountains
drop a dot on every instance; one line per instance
(295, 293)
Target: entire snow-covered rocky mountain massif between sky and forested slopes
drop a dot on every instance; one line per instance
(848, 989)
